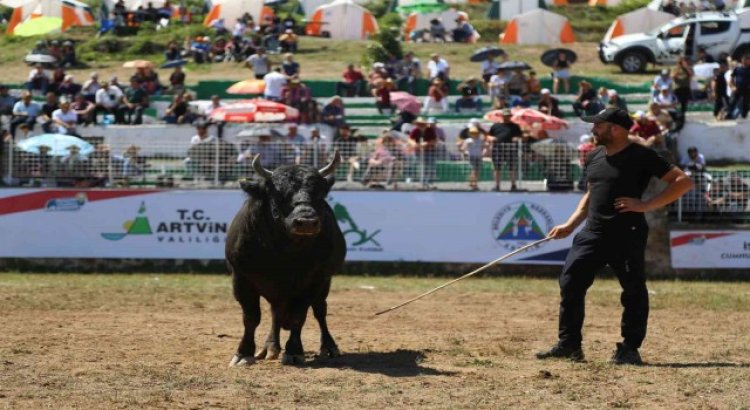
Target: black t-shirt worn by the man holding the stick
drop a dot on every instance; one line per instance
(625, 174)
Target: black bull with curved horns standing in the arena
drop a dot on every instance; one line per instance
(284, 244)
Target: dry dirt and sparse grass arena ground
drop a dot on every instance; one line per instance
(164, 341)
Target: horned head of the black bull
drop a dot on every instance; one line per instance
(295, 194)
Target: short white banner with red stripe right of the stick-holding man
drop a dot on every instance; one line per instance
(727, 249)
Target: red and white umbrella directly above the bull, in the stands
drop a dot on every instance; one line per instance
(257, 110)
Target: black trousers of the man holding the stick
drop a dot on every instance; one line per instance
(623, 250)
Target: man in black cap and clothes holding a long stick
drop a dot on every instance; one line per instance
(617, 172)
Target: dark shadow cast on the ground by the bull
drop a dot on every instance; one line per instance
(400, 363)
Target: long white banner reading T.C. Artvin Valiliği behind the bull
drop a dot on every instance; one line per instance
(378, 226)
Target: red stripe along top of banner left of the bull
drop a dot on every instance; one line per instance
(38, 199)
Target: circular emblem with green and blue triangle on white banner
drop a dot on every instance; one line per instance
(520, 223)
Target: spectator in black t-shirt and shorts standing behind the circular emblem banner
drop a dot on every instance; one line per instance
(505, 147)
